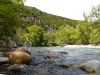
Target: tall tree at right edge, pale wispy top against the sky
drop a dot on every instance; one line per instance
(94, 18)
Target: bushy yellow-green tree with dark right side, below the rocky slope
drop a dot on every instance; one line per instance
(33, 33)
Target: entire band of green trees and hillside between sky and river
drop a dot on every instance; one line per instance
(20, 23)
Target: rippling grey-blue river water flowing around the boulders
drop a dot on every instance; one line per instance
(70, 55)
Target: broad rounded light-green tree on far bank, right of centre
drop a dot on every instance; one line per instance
(66, 35)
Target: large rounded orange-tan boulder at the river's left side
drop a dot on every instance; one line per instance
(20, 56)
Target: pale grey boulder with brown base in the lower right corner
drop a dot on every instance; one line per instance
(91, 67)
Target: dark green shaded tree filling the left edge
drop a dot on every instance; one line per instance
(9, 21)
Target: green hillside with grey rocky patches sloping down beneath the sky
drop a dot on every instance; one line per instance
(33, 15)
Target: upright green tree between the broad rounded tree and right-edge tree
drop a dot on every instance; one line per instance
(84, 30)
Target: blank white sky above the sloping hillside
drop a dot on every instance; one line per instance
(72, 9)
